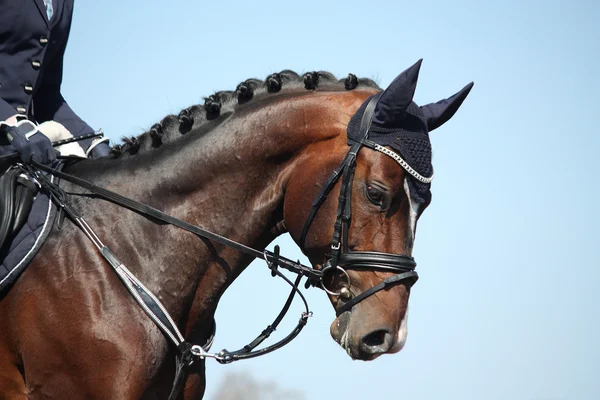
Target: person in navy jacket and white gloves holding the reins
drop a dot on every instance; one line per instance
(33, 38)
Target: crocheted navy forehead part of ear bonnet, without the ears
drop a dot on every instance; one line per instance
(410, 140)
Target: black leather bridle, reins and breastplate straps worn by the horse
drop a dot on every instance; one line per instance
(340, 259)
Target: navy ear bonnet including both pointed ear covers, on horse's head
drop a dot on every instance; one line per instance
(400, 124)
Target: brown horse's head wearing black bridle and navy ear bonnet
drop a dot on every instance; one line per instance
(386, 190)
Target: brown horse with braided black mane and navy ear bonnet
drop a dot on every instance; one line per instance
(248, 165)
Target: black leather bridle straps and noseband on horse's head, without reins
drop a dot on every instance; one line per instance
(341, 257)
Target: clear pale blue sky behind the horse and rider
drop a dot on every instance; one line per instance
(507, 306)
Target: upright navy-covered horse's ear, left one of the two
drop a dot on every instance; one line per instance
(392, 104)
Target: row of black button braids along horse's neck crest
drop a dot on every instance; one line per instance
(222, 102)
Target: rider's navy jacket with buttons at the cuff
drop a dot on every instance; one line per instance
(31, 62)
